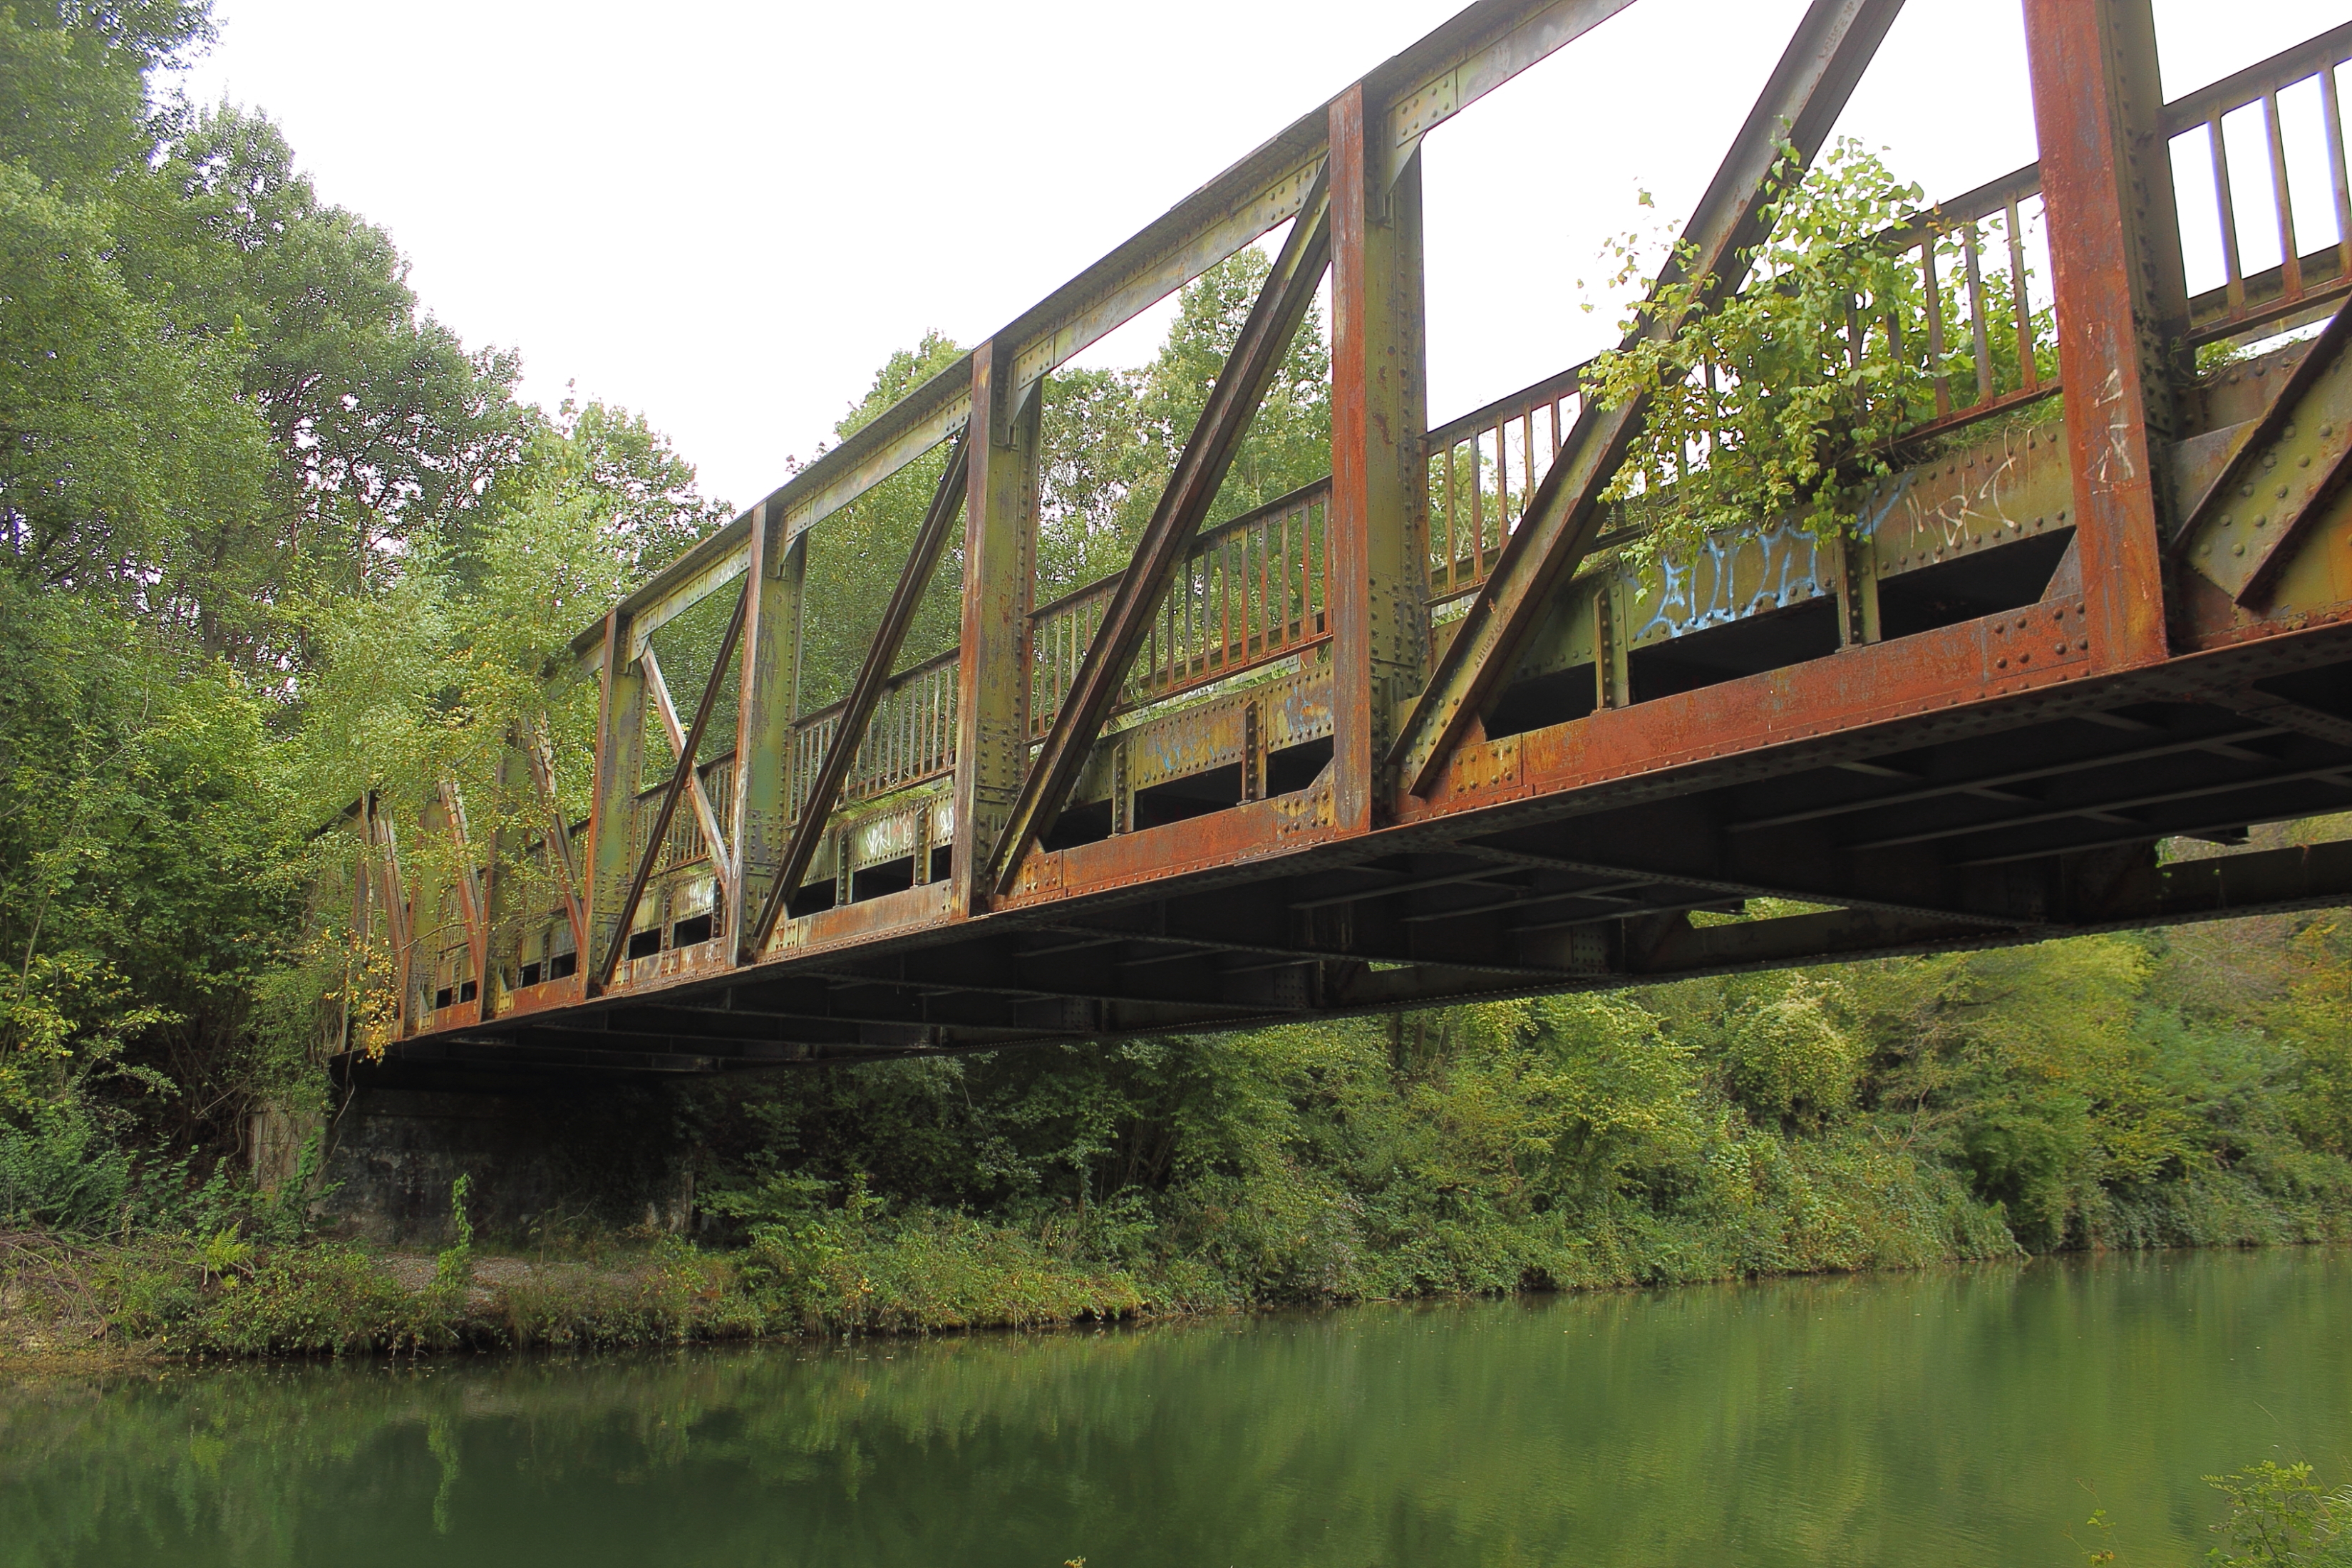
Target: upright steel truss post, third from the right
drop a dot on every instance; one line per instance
(991, 702)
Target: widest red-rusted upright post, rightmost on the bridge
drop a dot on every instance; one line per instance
(2123, 307)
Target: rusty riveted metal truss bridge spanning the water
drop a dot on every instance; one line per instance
(1412, 735)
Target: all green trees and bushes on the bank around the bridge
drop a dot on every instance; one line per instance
(272, 535)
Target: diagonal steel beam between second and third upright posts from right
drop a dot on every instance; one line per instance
(1191, 490)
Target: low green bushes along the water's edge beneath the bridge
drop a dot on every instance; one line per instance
(2179, 1090)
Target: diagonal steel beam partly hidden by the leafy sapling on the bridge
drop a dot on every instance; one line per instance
(1563, 518)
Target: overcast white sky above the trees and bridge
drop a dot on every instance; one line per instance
(728, 213)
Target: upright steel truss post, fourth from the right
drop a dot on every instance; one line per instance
(763, 798)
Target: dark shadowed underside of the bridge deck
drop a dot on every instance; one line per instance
(2014, 822)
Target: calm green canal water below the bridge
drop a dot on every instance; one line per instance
(1970, 1416)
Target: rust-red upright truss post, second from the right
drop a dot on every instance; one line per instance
(1379, 476)
